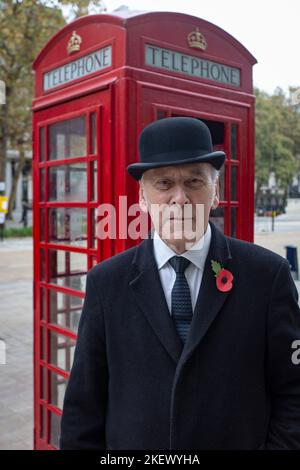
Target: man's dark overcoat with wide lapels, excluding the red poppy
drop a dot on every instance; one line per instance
(234, 385)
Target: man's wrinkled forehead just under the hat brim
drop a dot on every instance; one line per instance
(180, 171)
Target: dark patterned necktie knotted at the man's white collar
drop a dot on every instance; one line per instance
(182, 311)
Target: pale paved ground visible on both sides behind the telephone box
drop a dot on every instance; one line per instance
(16, 323)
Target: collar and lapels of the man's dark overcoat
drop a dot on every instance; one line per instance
(147, 289)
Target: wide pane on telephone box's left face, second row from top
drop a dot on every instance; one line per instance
(68, 182)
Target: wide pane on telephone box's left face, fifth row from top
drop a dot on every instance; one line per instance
(65, 310)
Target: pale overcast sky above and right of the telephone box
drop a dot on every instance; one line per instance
(270, 30)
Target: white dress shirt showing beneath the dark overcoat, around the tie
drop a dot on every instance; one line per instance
(193, 272)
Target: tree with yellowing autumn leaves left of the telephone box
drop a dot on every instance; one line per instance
(25, 27)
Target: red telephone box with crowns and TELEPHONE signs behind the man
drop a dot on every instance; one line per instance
(99, 81)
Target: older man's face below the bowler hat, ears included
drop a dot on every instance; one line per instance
(179, 200)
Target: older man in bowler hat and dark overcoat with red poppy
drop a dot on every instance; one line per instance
(185, 348)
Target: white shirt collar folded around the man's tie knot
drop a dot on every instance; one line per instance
(197, 255)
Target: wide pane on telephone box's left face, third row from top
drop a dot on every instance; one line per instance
(68, 226)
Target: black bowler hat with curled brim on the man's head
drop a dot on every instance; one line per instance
(175, 141)
